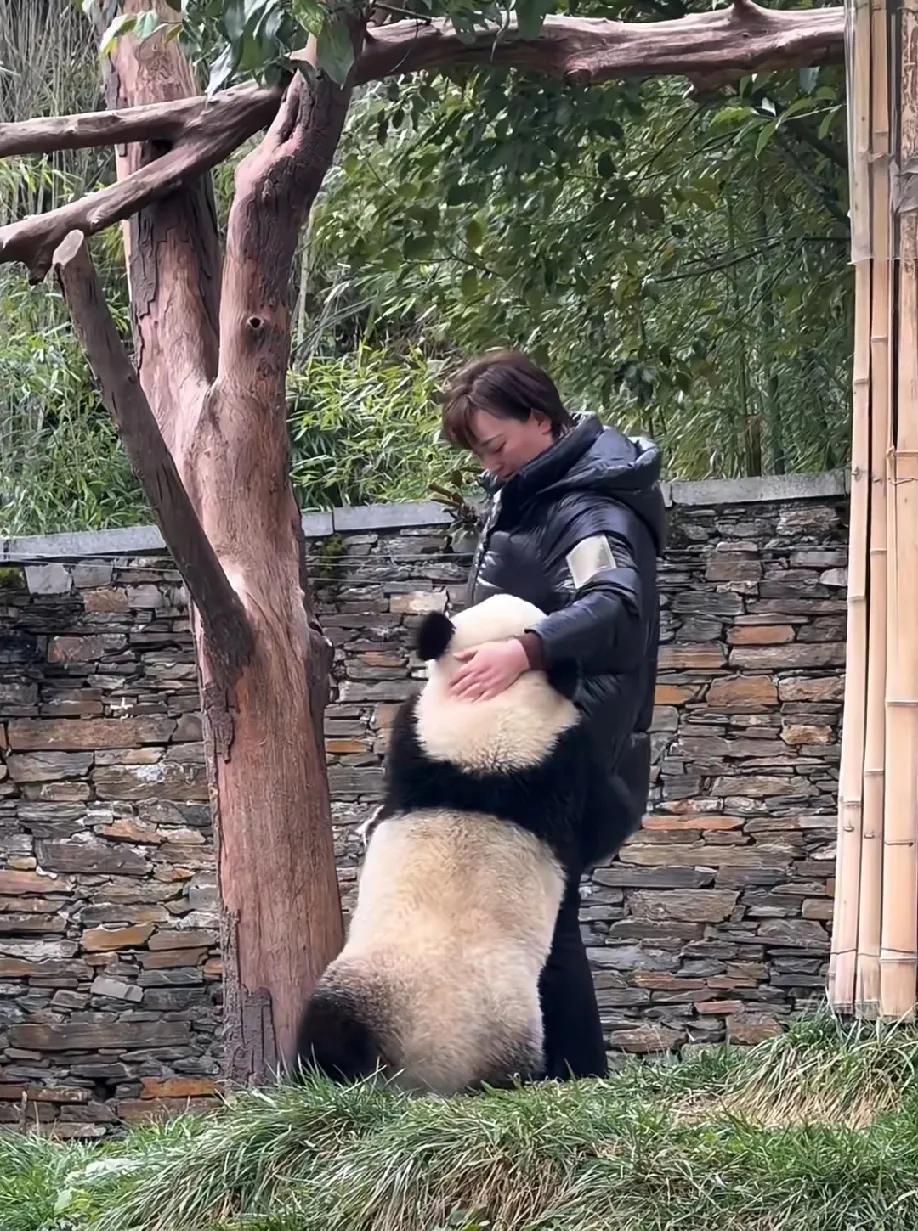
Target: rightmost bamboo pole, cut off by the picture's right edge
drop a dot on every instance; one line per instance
(899, 957)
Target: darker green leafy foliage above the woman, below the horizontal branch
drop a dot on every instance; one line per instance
(680, 269)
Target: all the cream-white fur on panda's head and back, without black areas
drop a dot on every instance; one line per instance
(456, 912)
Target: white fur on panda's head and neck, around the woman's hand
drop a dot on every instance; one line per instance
(516, 729)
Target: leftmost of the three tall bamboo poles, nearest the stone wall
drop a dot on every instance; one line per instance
(851, 785)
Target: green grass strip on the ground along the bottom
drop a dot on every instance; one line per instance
(816, 1131)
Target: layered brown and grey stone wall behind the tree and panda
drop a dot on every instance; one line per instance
(712, 925)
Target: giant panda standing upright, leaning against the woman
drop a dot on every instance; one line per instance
(437, 985)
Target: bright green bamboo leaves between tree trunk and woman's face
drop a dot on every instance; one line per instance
(366, 430)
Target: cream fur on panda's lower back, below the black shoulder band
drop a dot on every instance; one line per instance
(452, 907)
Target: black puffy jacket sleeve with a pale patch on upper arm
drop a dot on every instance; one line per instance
(606, 625)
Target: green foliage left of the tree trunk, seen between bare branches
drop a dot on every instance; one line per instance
(61, 465)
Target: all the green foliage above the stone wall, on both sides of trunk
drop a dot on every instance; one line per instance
(681, 265)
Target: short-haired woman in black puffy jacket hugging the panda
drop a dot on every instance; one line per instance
(575, 526)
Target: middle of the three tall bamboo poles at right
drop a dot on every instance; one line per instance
(871, 907)
